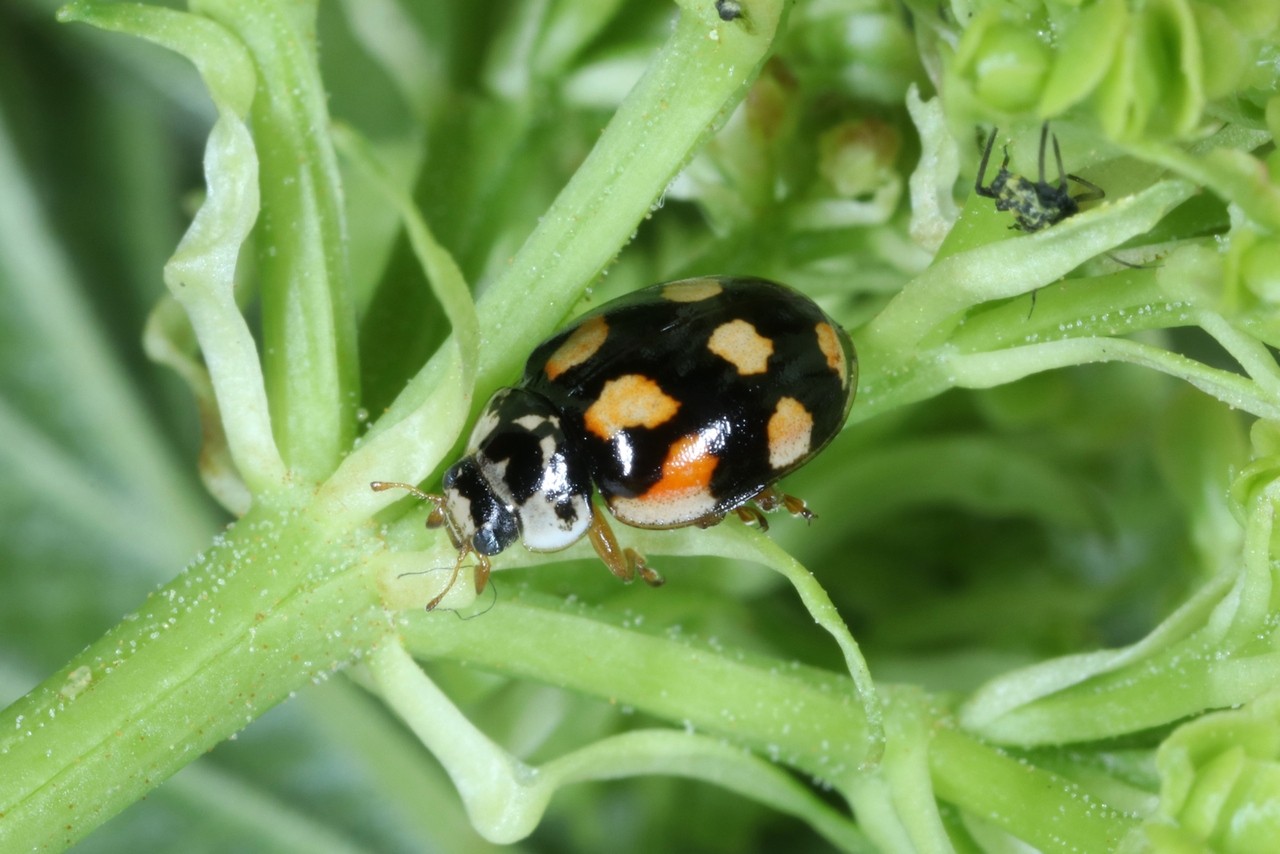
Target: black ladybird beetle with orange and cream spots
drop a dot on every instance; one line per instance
(680, 404)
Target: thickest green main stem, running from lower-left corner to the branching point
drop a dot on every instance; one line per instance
(277, 602)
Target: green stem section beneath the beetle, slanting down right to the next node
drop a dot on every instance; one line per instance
(780, 713)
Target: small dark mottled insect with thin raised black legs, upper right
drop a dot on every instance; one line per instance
(1037, 204)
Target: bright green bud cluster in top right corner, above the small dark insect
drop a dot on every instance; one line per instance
(1145, 71)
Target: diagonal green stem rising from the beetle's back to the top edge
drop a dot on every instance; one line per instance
(659, 127)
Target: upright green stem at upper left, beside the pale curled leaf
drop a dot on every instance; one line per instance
(301, 239)
